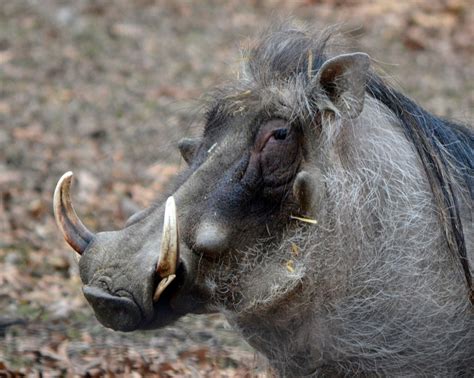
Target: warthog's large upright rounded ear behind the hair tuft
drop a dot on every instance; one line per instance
(343, 79)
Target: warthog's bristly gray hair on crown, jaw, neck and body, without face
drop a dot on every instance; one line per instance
(401, 209)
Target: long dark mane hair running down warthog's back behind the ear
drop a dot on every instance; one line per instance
(446, 150)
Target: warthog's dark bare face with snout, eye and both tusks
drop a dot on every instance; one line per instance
(235, 197)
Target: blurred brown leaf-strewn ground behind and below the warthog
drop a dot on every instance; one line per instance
(106, 89)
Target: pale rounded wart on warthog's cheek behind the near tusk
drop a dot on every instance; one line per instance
(211, 239)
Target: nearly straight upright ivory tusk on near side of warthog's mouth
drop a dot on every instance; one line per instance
(169, 251)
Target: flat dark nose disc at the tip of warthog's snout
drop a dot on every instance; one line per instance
(118, 313)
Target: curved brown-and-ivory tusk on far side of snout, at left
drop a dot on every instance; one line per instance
(74, 232)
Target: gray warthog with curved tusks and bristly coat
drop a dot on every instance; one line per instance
(325, 214)
